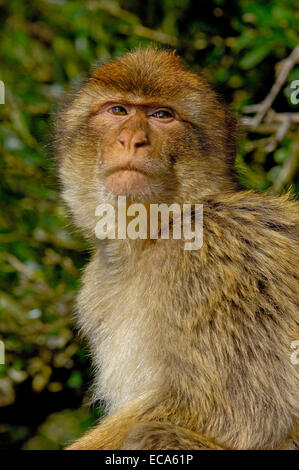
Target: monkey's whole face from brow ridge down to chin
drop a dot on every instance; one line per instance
(138, 143)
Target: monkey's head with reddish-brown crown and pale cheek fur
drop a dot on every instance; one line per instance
(145, 127)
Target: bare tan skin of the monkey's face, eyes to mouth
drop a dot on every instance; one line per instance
(133, 134)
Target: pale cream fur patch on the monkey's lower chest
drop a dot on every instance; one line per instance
(126, 355)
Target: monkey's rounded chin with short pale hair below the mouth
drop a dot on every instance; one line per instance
(130, 183)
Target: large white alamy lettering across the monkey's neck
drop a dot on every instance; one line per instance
(152, 222)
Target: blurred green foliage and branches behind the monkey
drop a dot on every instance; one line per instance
(246, 48)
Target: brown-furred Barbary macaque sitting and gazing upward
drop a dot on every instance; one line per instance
(191, 348)
